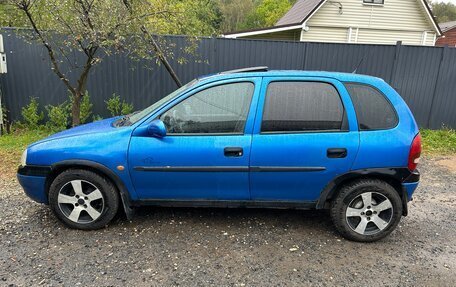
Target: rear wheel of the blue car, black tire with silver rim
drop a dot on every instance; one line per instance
(351, 196)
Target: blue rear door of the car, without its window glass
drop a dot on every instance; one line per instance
(305, 134)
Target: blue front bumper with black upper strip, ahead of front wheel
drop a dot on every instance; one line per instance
(33, 181)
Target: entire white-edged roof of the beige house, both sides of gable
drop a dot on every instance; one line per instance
(302, 10)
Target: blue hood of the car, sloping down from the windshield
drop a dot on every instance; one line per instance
(102, 126)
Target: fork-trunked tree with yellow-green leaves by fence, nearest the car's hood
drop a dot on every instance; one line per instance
(95, 29)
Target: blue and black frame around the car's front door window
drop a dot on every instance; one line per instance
(206, 88)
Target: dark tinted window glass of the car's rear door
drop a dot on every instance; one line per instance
(302, 106)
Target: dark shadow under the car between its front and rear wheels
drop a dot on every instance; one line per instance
(240, 218)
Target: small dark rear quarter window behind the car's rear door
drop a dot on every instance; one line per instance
(373, 110)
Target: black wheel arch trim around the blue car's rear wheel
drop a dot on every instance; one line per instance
(393, 176)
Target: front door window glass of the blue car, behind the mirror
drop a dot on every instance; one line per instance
(215, 110)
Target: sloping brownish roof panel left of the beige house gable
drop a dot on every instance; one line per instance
(300, 11)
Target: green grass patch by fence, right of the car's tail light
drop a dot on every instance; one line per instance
(438, 142)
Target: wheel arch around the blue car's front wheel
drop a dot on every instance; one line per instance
(98, 168)
